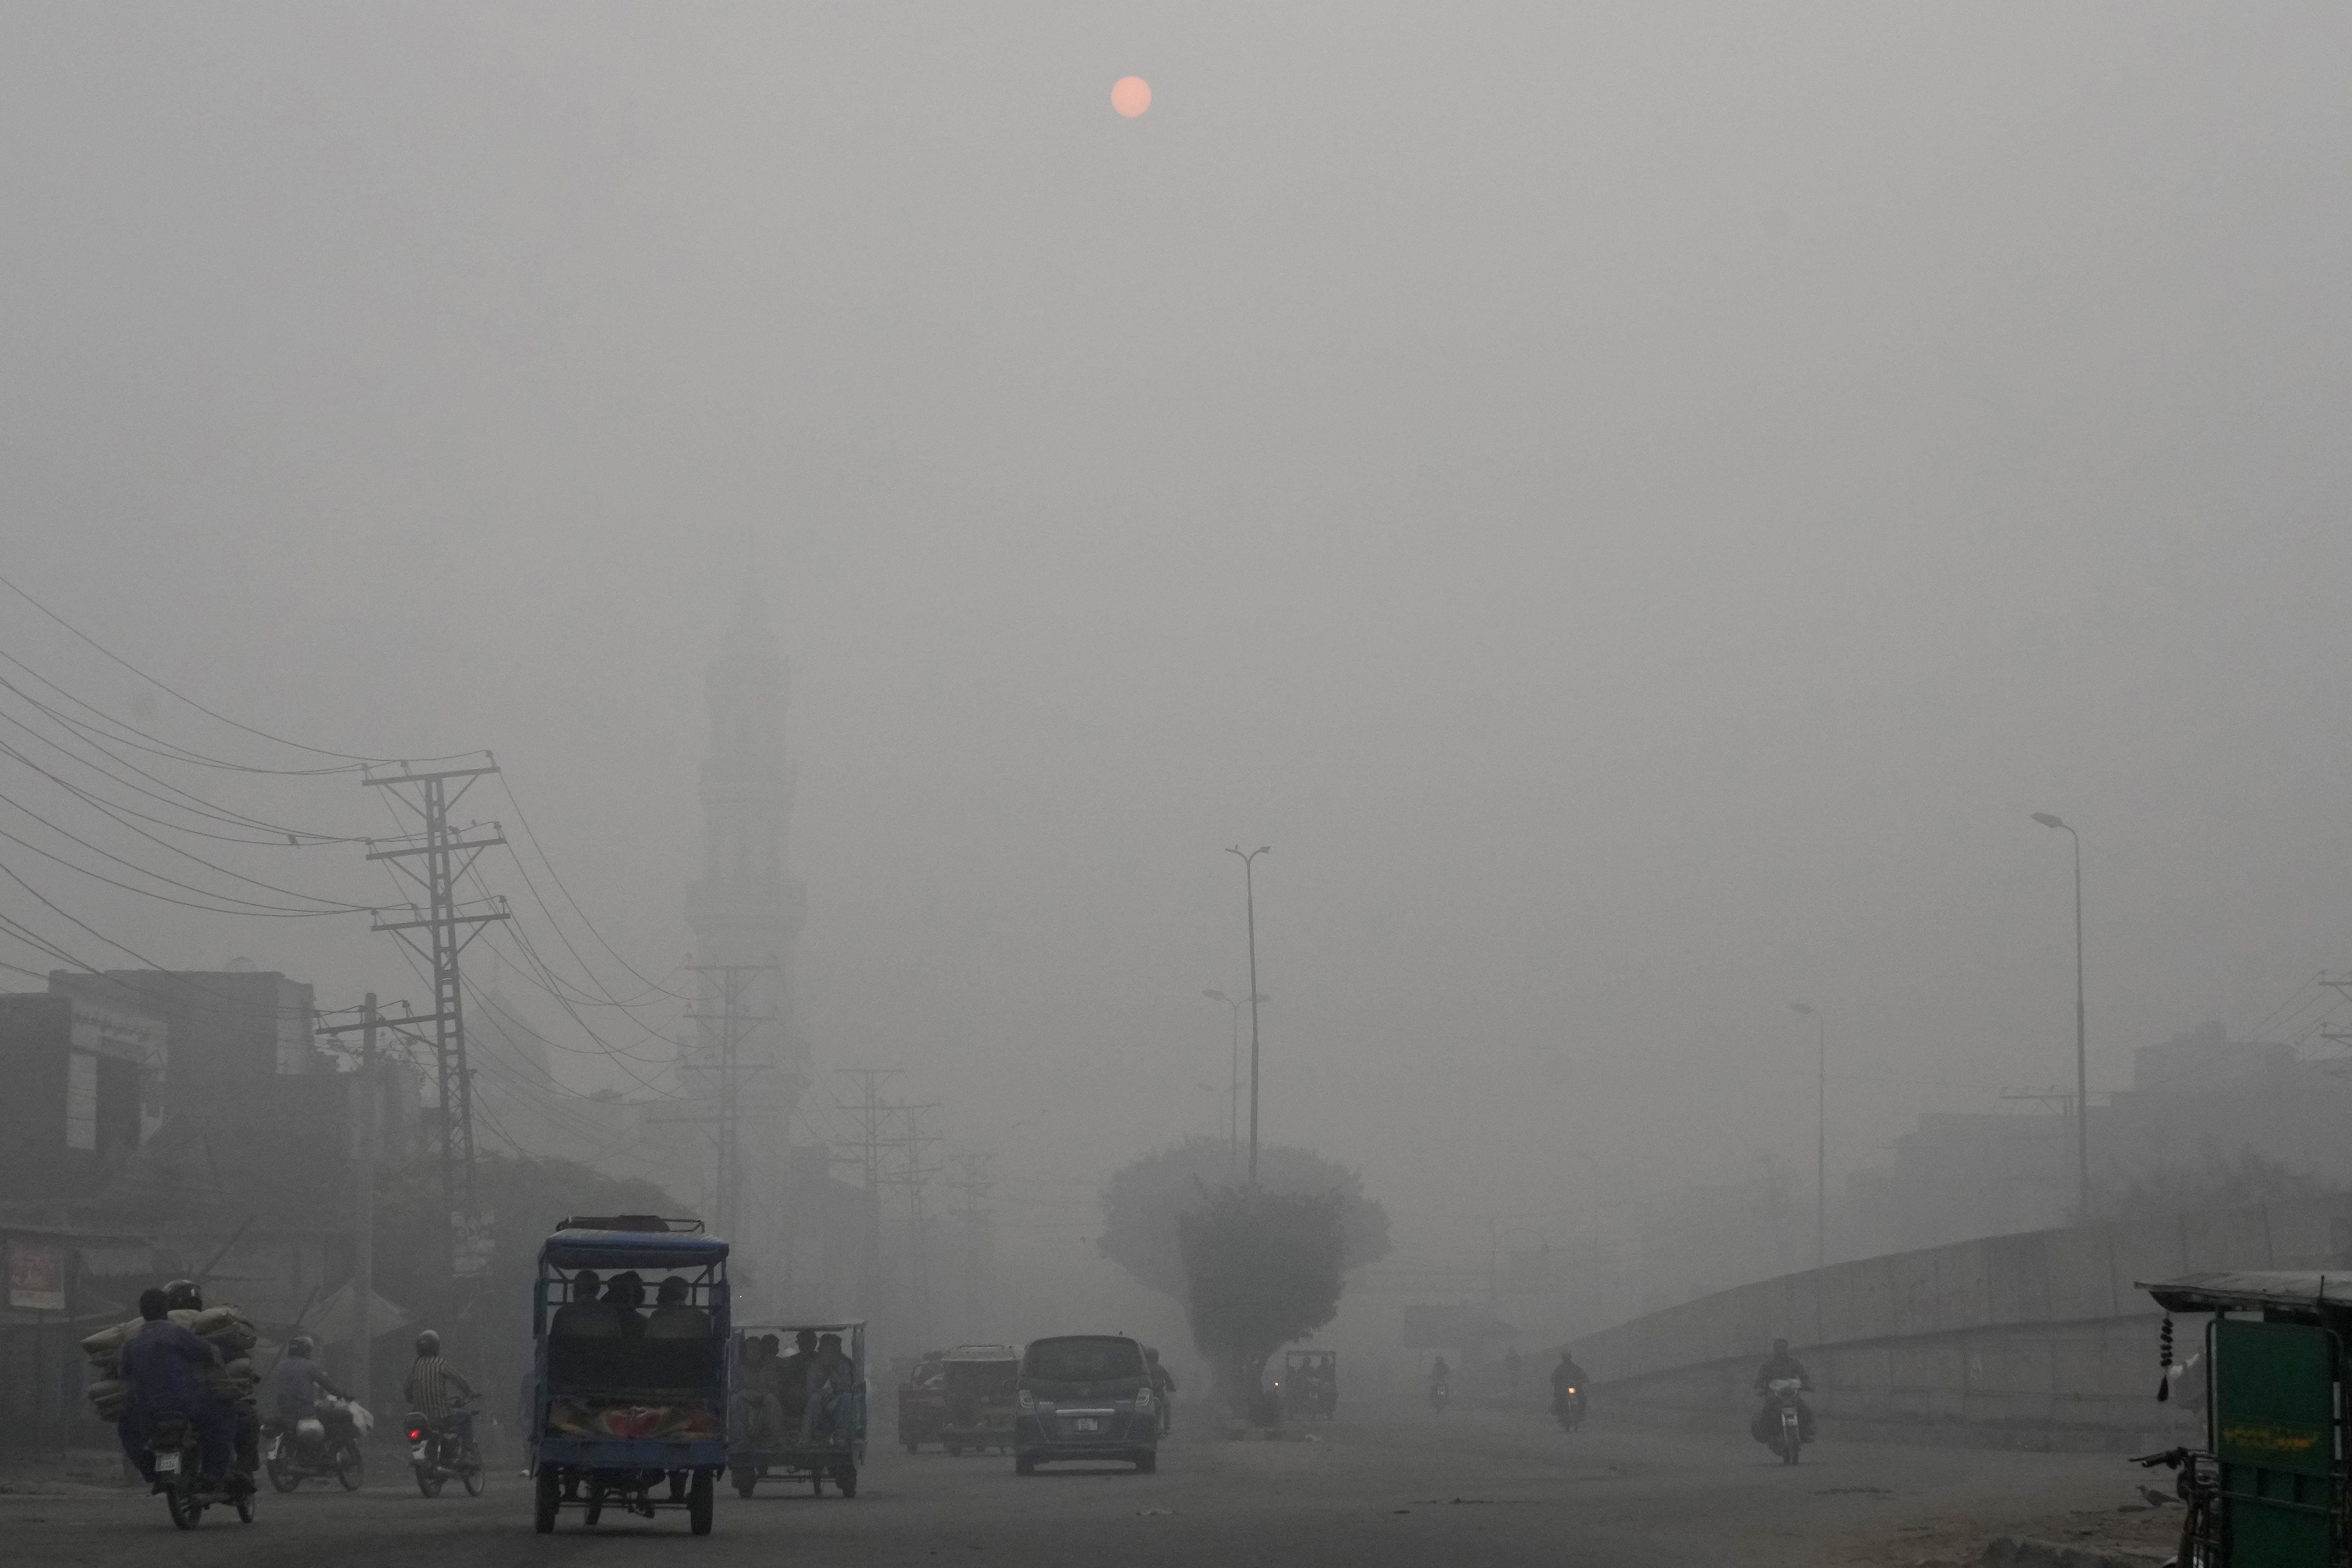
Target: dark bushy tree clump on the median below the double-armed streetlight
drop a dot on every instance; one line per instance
(1252, 1275)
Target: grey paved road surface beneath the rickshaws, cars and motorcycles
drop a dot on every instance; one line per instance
(1457, 1492)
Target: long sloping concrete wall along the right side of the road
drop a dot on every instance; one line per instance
(2022, 1341)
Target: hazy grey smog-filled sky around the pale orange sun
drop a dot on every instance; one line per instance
(1633, 502)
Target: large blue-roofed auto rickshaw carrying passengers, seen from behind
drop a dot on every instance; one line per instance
(629, 1353)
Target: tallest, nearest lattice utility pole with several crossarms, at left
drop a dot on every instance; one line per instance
(434, 859)
